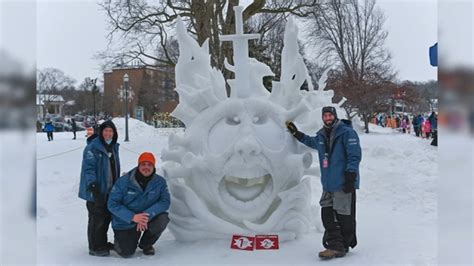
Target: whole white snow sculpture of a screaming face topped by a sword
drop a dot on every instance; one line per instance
(236, 170)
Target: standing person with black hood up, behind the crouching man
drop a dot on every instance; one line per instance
(100, 170)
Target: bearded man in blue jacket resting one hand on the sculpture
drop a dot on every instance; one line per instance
(339, 153)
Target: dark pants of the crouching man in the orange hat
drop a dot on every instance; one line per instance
(126, 240)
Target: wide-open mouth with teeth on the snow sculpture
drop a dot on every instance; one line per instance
(246, 192)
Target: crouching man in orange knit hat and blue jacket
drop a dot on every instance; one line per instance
(138, 202)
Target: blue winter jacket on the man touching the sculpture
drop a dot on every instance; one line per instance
(344, 154)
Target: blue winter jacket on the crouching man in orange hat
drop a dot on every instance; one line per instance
(127, 198)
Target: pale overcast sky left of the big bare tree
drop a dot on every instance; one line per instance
(69, 34)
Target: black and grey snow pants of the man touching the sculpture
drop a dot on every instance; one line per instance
(338, 213)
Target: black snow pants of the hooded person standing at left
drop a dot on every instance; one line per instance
(99, 221)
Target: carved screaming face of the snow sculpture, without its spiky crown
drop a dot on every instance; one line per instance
(245, 159)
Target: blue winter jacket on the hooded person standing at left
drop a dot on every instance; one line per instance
(96, 168)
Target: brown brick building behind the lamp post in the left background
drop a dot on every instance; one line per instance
(150, 88)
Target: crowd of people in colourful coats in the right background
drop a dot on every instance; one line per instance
(422, 126)
